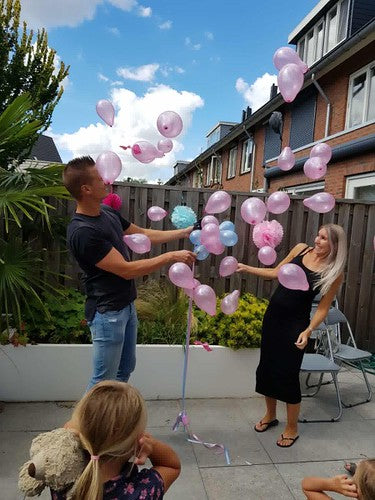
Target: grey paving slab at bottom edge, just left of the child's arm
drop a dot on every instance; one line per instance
(256, 482)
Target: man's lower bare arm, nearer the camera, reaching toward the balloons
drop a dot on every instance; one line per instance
(115, 263)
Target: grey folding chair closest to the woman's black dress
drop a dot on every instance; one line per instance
(322, 364)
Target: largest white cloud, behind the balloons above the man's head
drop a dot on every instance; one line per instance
(135, 120)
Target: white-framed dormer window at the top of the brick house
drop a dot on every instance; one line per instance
(329, 31)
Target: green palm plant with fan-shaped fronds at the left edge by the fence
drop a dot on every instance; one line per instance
(24, 192)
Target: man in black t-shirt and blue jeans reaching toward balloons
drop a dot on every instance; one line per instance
(95, 238)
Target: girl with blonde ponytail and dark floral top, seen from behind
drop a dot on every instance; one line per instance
(111, 420)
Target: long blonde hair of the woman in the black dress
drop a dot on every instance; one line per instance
(335, 261)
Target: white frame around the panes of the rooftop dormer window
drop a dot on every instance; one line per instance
(324, 19)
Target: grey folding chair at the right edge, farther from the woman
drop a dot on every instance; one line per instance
(348, 353)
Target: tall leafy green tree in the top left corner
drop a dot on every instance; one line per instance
(27, 65)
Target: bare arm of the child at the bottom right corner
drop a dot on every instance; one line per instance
(314, 487)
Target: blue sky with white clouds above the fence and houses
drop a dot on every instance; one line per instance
(206, 60)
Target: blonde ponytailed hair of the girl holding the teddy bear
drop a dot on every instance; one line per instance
(110, 419)
